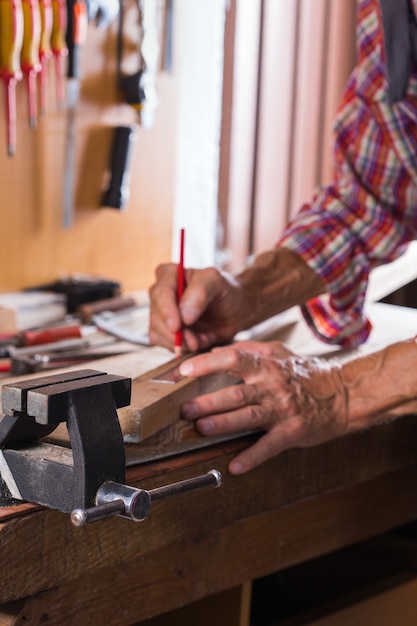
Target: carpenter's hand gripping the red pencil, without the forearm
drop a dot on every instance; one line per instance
(210, 308)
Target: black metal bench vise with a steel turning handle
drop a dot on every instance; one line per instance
(88, 479)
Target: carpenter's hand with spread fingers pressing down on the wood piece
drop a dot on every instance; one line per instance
(297, 401)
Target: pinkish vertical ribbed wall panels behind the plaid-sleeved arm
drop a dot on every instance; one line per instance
(288, 64)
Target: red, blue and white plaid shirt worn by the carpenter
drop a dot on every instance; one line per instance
(368, 214)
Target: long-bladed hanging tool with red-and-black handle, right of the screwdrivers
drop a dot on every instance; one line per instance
(76, 37)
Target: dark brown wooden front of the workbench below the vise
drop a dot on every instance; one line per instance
(299, 505)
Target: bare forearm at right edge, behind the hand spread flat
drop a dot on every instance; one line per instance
(381, 384)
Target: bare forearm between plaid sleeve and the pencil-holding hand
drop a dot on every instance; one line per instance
(275, 281)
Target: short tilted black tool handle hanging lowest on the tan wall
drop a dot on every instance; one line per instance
(116, 195)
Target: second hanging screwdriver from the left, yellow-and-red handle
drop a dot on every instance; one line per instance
(30, 53)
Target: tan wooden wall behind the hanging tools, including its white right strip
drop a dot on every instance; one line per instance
(125, 246)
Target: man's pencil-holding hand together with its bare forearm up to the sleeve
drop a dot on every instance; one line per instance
(216, 305)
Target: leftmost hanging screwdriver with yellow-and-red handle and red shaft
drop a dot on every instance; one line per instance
(11, 40)
